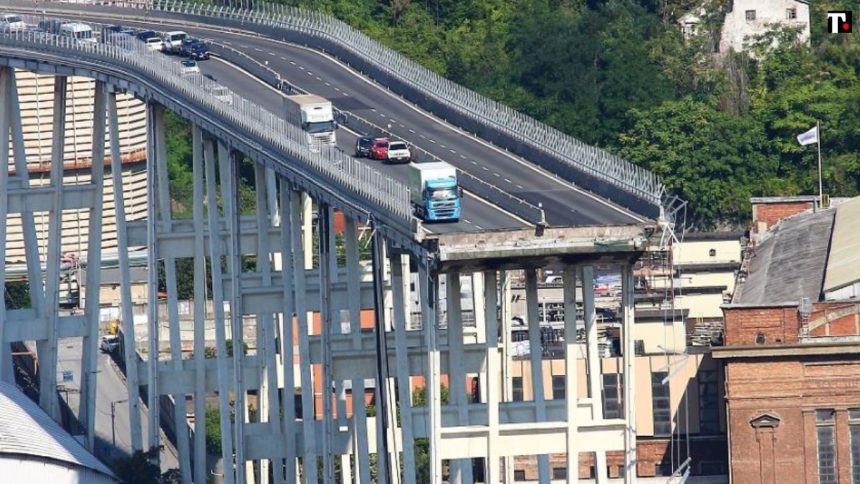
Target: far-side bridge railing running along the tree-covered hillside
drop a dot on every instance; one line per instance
(586, 165)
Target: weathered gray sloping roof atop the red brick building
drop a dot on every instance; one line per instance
(789, 264)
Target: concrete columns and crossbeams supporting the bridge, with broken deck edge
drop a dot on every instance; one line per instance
(284, 275)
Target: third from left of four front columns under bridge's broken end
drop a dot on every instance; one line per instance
(571, 384)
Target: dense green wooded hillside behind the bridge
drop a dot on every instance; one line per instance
(617, 74)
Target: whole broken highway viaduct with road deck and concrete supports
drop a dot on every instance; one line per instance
(585, 230)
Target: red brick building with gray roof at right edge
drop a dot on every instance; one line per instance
(792, 348)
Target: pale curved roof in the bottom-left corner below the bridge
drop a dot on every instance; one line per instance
(25, 429)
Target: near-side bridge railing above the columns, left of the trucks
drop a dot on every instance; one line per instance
(262, 127)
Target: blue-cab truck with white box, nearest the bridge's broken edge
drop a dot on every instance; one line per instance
(434, 191)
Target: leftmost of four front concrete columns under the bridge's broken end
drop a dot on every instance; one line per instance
(428, 285)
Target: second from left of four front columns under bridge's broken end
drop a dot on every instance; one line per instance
(492, 375)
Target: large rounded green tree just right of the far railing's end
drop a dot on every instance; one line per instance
(714, 160)
